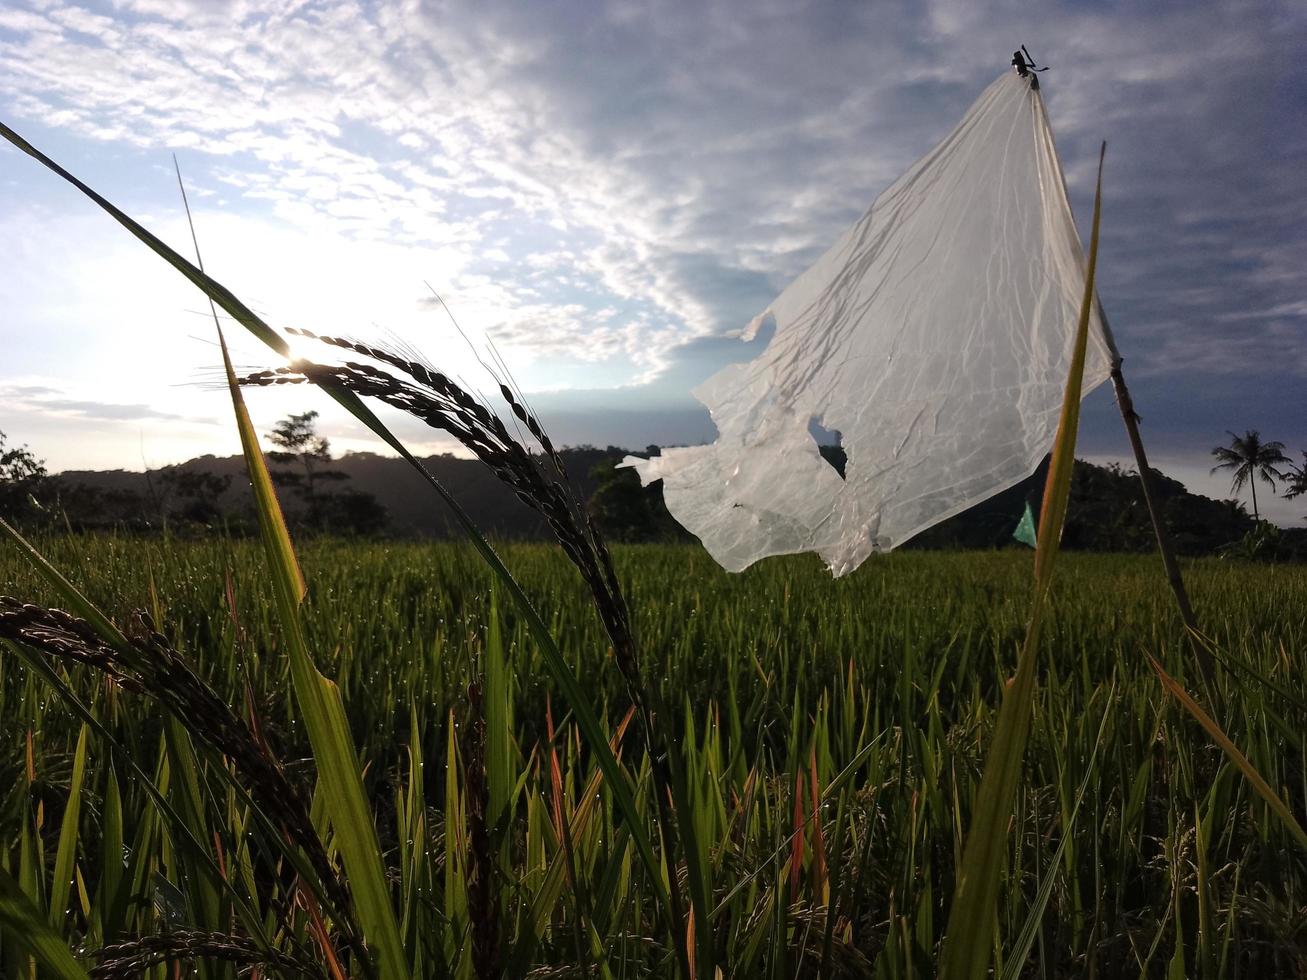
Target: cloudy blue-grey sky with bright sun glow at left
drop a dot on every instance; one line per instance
(610, 191)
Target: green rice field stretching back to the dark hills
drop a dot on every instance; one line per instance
(831, 738)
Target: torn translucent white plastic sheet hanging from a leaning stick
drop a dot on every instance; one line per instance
(935, 338)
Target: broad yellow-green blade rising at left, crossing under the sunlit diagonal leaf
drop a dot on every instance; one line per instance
(325, 717)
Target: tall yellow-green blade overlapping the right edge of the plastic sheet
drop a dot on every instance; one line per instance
(969, 941)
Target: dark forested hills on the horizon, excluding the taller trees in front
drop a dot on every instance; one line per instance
(1106, 510)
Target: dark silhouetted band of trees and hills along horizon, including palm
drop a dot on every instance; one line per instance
(363, 495)
